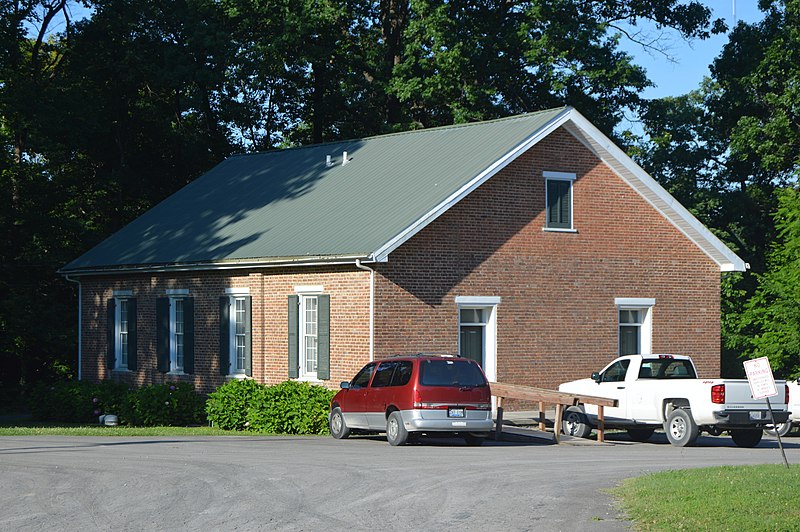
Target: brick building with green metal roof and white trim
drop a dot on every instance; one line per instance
(531, 244)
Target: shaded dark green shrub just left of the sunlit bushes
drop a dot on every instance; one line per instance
(170, 404)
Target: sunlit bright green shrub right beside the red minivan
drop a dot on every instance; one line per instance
(290, 408)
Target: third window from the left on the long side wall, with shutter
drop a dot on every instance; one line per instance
(235, 337)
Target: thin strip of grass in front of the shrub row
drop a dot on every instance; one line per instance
(71, 429)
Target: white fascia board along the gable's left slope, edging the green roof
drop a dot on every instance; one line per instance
(382, 253)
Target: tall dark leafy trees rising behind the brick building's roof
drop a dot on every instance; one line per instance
(102, 116)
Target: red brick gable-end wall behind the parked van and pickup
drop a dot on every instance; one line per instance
(557, 320)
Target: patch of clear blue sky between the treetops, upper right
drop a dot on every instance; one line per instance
(691, 60)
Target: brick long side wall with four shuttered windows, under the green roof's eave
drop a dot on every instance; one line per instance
(348, 288)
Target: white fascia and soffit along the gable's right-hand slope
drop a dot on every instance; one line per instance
(661, 200)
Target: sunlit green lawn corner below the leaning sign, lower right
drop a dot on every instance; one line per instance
(722, 498)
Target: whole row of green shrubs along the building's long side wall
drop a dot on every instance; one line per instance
(287, 408)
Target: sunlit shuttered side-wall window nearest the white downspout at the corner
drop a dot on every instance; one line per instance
(309, 334)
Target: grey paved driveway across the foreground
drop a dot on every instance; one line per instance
(318, 483)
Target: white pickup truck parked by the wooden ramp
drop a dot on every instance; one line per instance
(657, 391)
